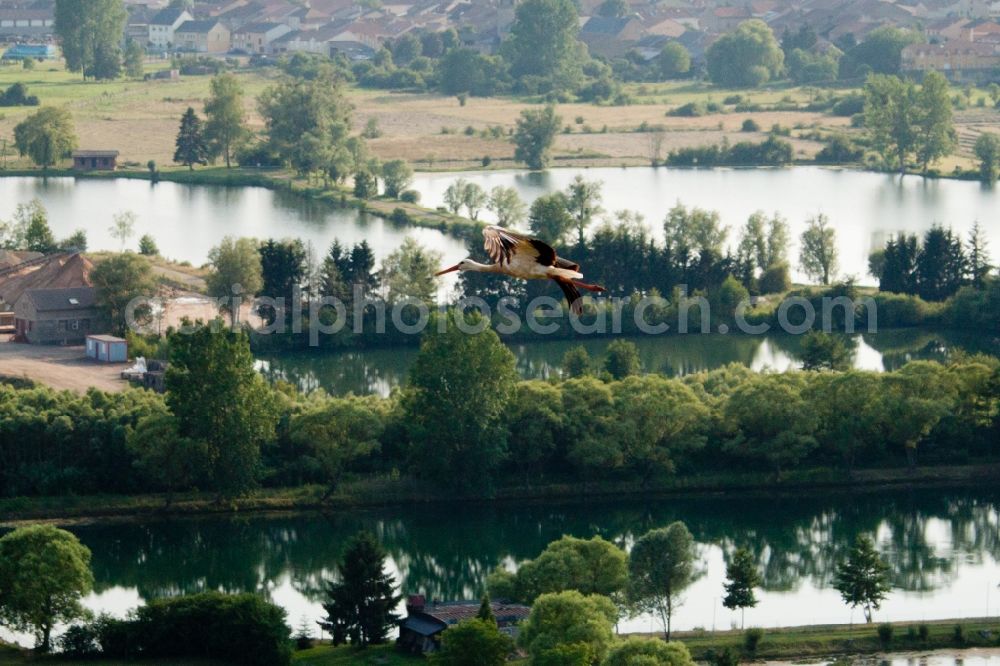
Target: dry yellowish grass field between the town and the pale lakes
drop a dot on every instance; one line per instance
(140, 118)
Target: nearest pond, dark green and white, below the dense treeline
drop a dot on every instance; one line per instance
(944, 547)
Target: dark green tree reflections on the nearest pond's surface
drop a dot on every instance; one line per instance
(446, 551)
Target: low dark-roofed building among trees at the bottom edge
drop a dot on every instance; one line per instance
(420, 631)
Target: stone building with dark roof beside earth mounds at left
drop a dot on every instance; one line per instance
(57, 316)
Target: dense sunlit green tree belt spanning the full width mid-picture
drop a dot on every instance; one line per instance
(465, 421)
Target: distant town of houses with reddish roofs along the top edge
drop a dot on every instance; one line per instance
(962, 37)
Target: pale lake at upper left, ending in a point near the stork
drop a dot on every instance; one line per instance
(188, 220)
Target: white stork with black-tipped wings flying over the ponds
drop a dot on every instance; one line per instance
(528, 258)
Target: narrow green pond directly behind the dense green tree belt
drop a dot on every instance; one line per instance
(381, 370)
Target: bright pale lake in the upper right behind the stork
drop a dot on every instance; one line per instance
(865, 208)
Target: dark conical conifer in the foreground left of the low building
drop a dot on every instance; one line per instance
(361, 604)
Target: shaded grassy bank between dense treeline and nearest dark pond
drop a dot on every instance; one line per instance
(380, 492)
